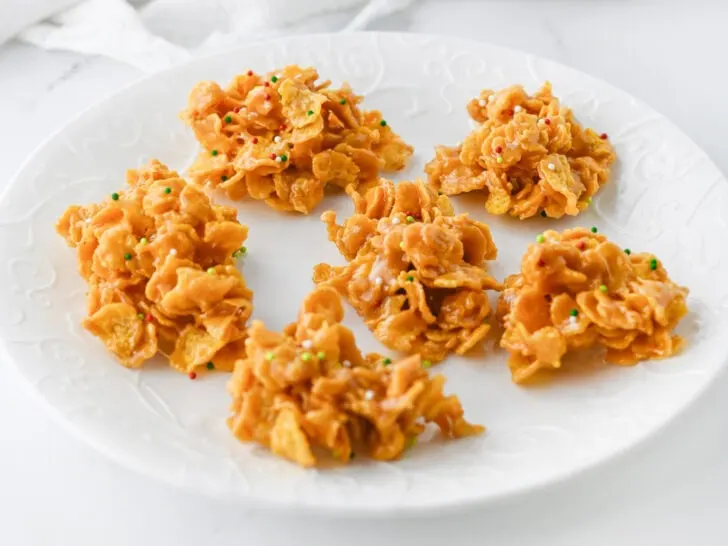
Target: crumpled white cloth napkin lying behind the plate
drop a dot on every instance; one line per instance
(161, 33)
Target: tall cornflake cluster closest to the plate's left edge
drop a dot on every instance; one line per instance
(158, 260)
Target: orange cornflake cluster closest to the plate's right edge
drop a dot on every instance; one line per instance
(577, 290)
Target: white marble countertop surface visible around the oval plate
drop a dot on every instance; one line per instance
(670, 491)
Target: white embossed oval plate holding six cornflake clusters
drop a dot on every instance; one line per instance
(666, 197)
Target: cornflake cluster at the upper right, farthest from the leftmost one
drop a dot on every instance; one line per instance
(529, 156)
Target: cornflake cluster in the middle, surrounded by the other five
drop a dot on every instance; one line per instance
(416, 273)
